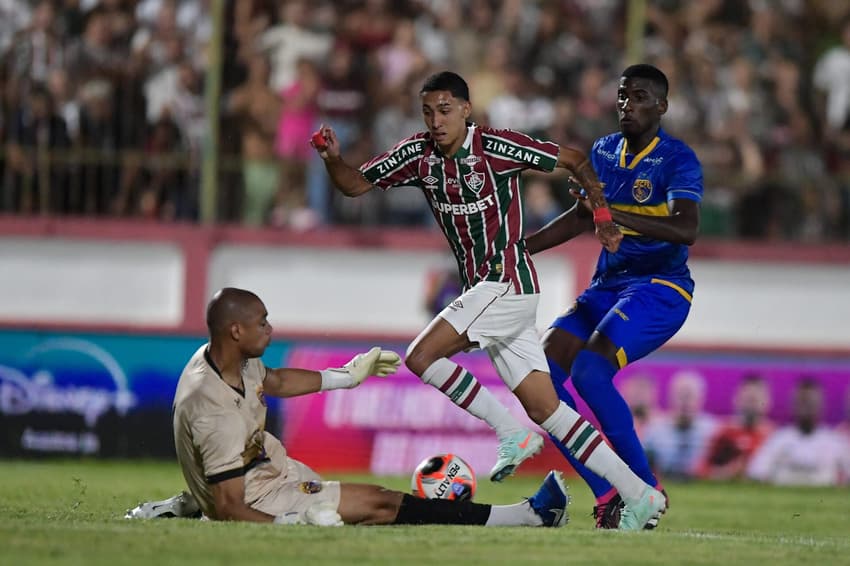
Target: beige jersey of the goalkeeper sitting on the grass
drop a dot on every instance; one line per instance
(219, 433)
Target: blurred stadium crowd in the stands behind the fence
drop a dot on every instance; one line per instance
(103, 109)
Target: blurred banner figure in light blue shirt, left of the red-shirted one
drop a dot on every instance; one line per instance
(675, 443)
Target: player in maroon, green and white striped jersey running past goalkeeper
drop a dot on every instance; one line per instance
(470, 176)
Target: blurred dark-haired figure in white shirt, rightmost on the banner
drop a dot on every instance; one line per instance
(805, 452)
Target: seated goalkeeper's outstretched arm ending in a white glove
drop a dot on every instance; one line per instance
(291, 382)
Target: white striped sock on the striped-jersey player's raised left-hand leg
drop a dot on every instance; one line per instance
(467, 393)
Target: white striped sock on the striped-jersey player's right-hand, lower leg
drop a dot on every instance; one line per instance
(588, 446)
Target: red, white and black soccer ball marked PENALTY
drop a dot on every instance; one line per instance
(444, 476)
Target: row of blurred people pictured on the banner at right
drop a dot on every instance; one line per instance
(685, 441)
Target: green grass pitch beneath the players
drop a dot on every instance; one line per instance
(70, 512)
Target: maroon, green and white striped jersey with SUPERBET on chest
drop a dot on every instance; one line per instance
(474, 195)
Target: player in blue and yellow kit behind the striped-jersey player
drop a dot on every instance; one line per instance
(639, 296)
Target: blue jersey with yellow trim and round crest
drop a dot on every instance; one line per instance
(645, 183)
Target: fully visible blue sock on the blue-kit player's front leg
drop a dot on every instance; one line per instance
(593, 378)
